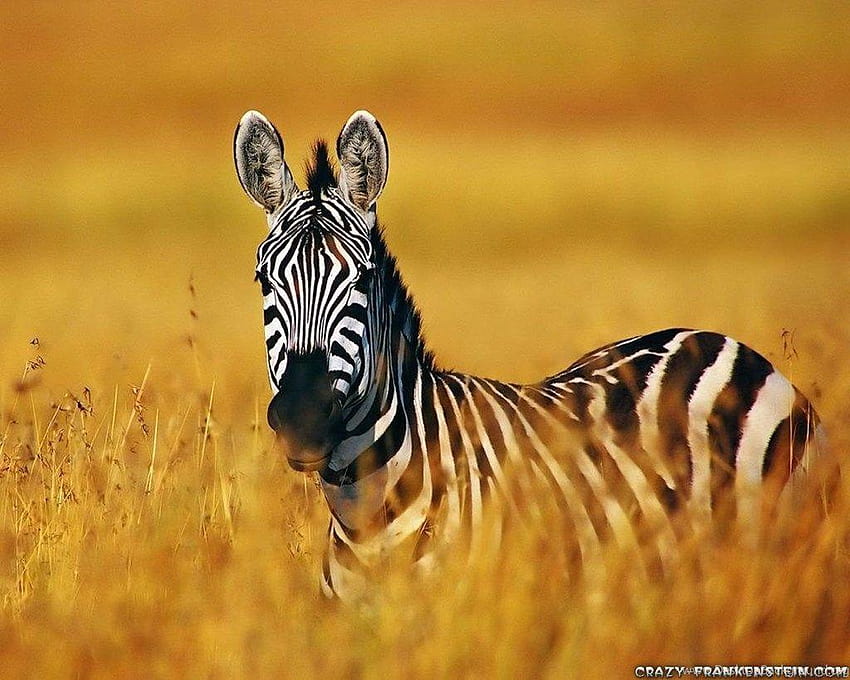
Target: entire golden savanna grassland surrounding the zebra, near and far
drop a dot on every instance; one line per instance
(561, 176)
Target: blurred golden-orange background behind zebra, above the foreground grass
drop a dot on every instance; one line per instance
(562, 174)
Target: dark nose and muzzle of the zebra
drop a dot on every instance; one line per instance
(305, 412)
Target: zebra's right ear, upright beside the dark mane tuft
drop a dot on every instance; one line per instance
(364, 160)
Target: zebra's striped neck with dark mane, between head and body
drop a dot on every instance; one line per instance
(386, 473)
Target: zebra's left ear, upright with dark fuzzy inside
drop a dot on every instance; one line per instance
(258, 153)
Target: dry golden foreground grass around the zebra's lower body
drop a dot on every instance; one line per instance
(144, 537)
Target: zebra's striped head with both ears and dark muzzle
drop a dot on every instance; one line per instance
(316, 269)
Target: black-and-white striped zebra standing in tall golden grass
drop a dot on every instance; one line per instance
(410, 456)
